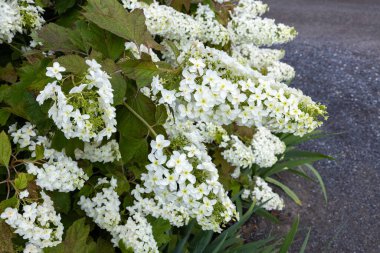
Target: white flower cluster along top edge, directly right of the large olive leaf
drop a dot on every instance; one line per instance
(170, 24)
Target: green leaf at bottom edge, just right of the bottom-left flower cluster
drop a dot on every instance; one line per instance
(75, 240)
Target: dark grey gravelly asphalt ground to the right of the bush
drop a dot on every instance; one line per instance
(337, 59)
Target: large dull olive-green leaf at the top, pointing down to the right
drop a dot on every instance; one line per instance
(111, 16)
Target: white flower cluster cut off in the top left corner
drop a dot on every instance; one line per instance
(21, 16)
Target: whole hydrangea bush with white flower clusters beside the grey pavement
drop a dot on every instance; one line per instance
(146, 126)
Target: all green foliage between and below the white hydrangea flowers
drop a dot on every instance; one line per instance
(98, 29)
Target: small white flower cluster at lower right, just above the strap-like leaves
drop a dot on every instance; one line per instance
(263, 194)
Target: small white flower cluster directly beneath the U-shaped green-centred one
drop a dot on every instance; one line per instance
(95, 152)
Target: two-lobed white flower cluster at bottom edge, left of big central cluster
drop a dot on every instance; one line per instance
(104, 208)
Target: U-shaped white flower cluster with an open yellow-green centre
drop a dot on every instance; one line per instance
(85, 112)
